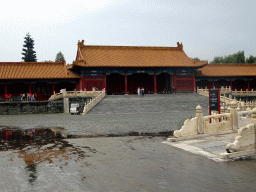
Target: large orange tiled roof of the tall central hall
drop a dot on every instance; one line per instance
(131, 56)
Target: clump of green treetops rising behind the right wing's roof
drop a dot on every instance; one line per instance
(234, 58)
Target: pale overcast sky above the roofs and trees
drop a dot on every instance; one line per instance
(207, 28)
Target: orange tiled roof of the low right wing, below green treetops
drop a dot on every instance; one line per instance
(221, 70)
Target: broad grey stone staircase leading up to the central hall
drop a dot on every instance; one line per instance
(161, 103)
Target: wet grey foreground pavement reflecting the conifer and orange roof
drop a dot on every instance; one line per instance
(118, 164)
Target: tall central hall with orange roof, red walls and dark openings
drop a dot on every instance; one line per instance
(122, 69)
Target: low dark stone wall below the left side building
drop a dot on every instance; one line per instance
(34, 107)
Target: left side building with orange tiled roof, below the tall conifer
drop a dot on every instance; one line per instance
(42, 78)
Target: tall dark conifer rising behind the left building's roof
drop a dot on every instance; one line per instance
(28, 50)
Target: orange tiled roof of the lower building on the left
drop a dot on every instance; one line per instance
(35, 70)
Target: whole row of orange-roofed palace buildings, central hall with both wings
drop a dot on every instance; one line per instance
(121, 70)
